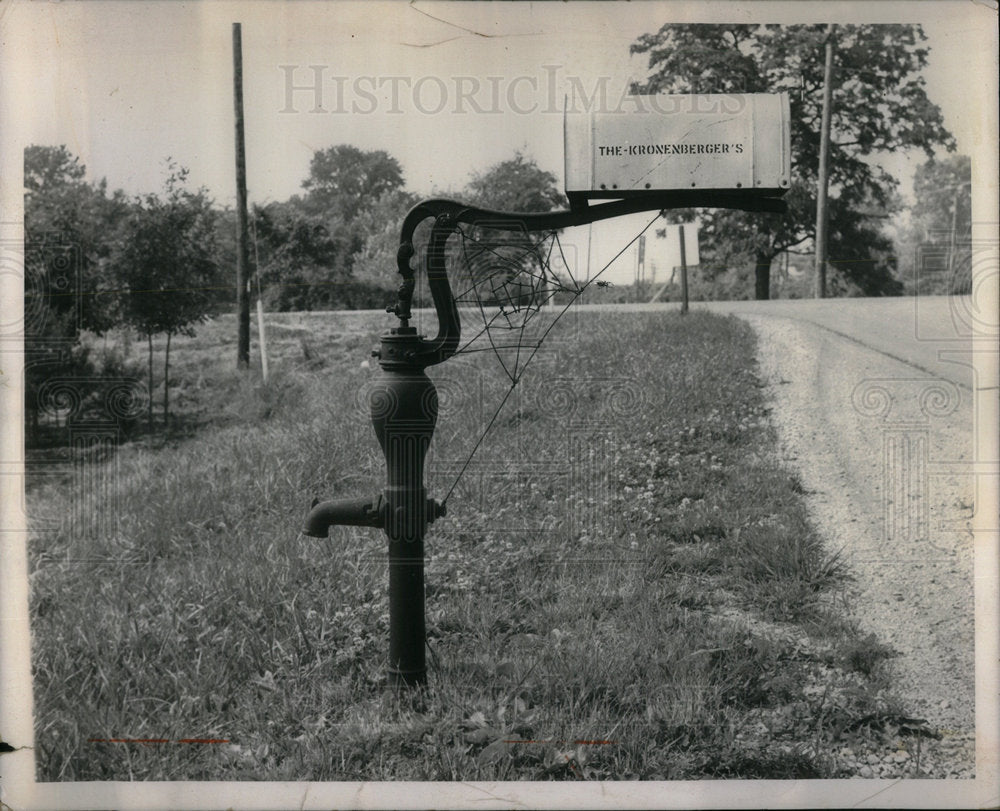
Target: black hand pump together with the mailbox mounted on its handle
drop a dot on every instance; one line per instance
(603, 161)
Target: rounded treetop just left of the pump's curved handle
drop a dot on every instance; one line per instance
(344, 180)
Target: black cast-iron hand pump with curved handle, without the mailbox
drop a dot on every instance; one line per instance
(403, 400)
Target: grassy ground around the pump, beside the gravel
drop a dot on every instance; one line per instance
(626, 585)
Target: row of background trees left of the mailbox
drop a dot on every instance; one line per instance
(160, 263)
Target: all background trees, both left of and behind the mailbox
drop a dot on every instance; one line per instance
(160, 263)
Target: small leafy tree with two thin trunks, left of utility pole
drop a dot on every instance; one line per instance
(165, 262)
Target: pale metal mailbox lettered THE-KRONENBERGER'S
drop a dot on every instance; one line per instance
(727, 142)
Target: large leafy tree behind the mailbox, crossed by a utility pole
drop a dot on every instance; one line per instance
(879, 105)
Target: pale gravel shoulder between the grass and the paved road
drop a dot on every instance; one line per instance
(884, 451)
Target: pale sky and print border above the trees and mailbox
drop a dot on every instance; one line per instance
(448, 89)
